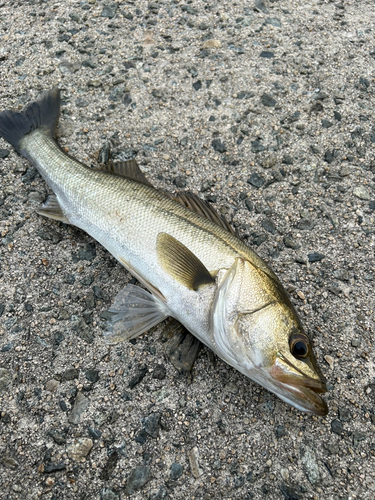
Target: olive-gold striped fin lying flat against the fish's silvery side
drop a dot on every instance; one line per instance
(180, 263)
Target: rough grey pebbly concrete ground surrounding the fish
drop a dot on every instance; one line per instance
(265, 109)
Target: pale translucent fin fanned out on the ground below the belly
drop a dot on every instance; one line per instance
(134, 312)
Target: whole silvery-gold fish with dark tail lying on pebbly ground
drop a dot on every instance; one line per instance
(191, 263)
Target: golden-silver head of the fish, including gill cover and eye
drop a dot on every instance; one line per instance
(257, 330)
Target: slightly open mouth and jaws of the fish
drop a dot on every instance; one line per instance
(298, 389)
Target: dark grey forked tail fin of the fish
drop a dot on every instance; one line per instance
(42, 113)
